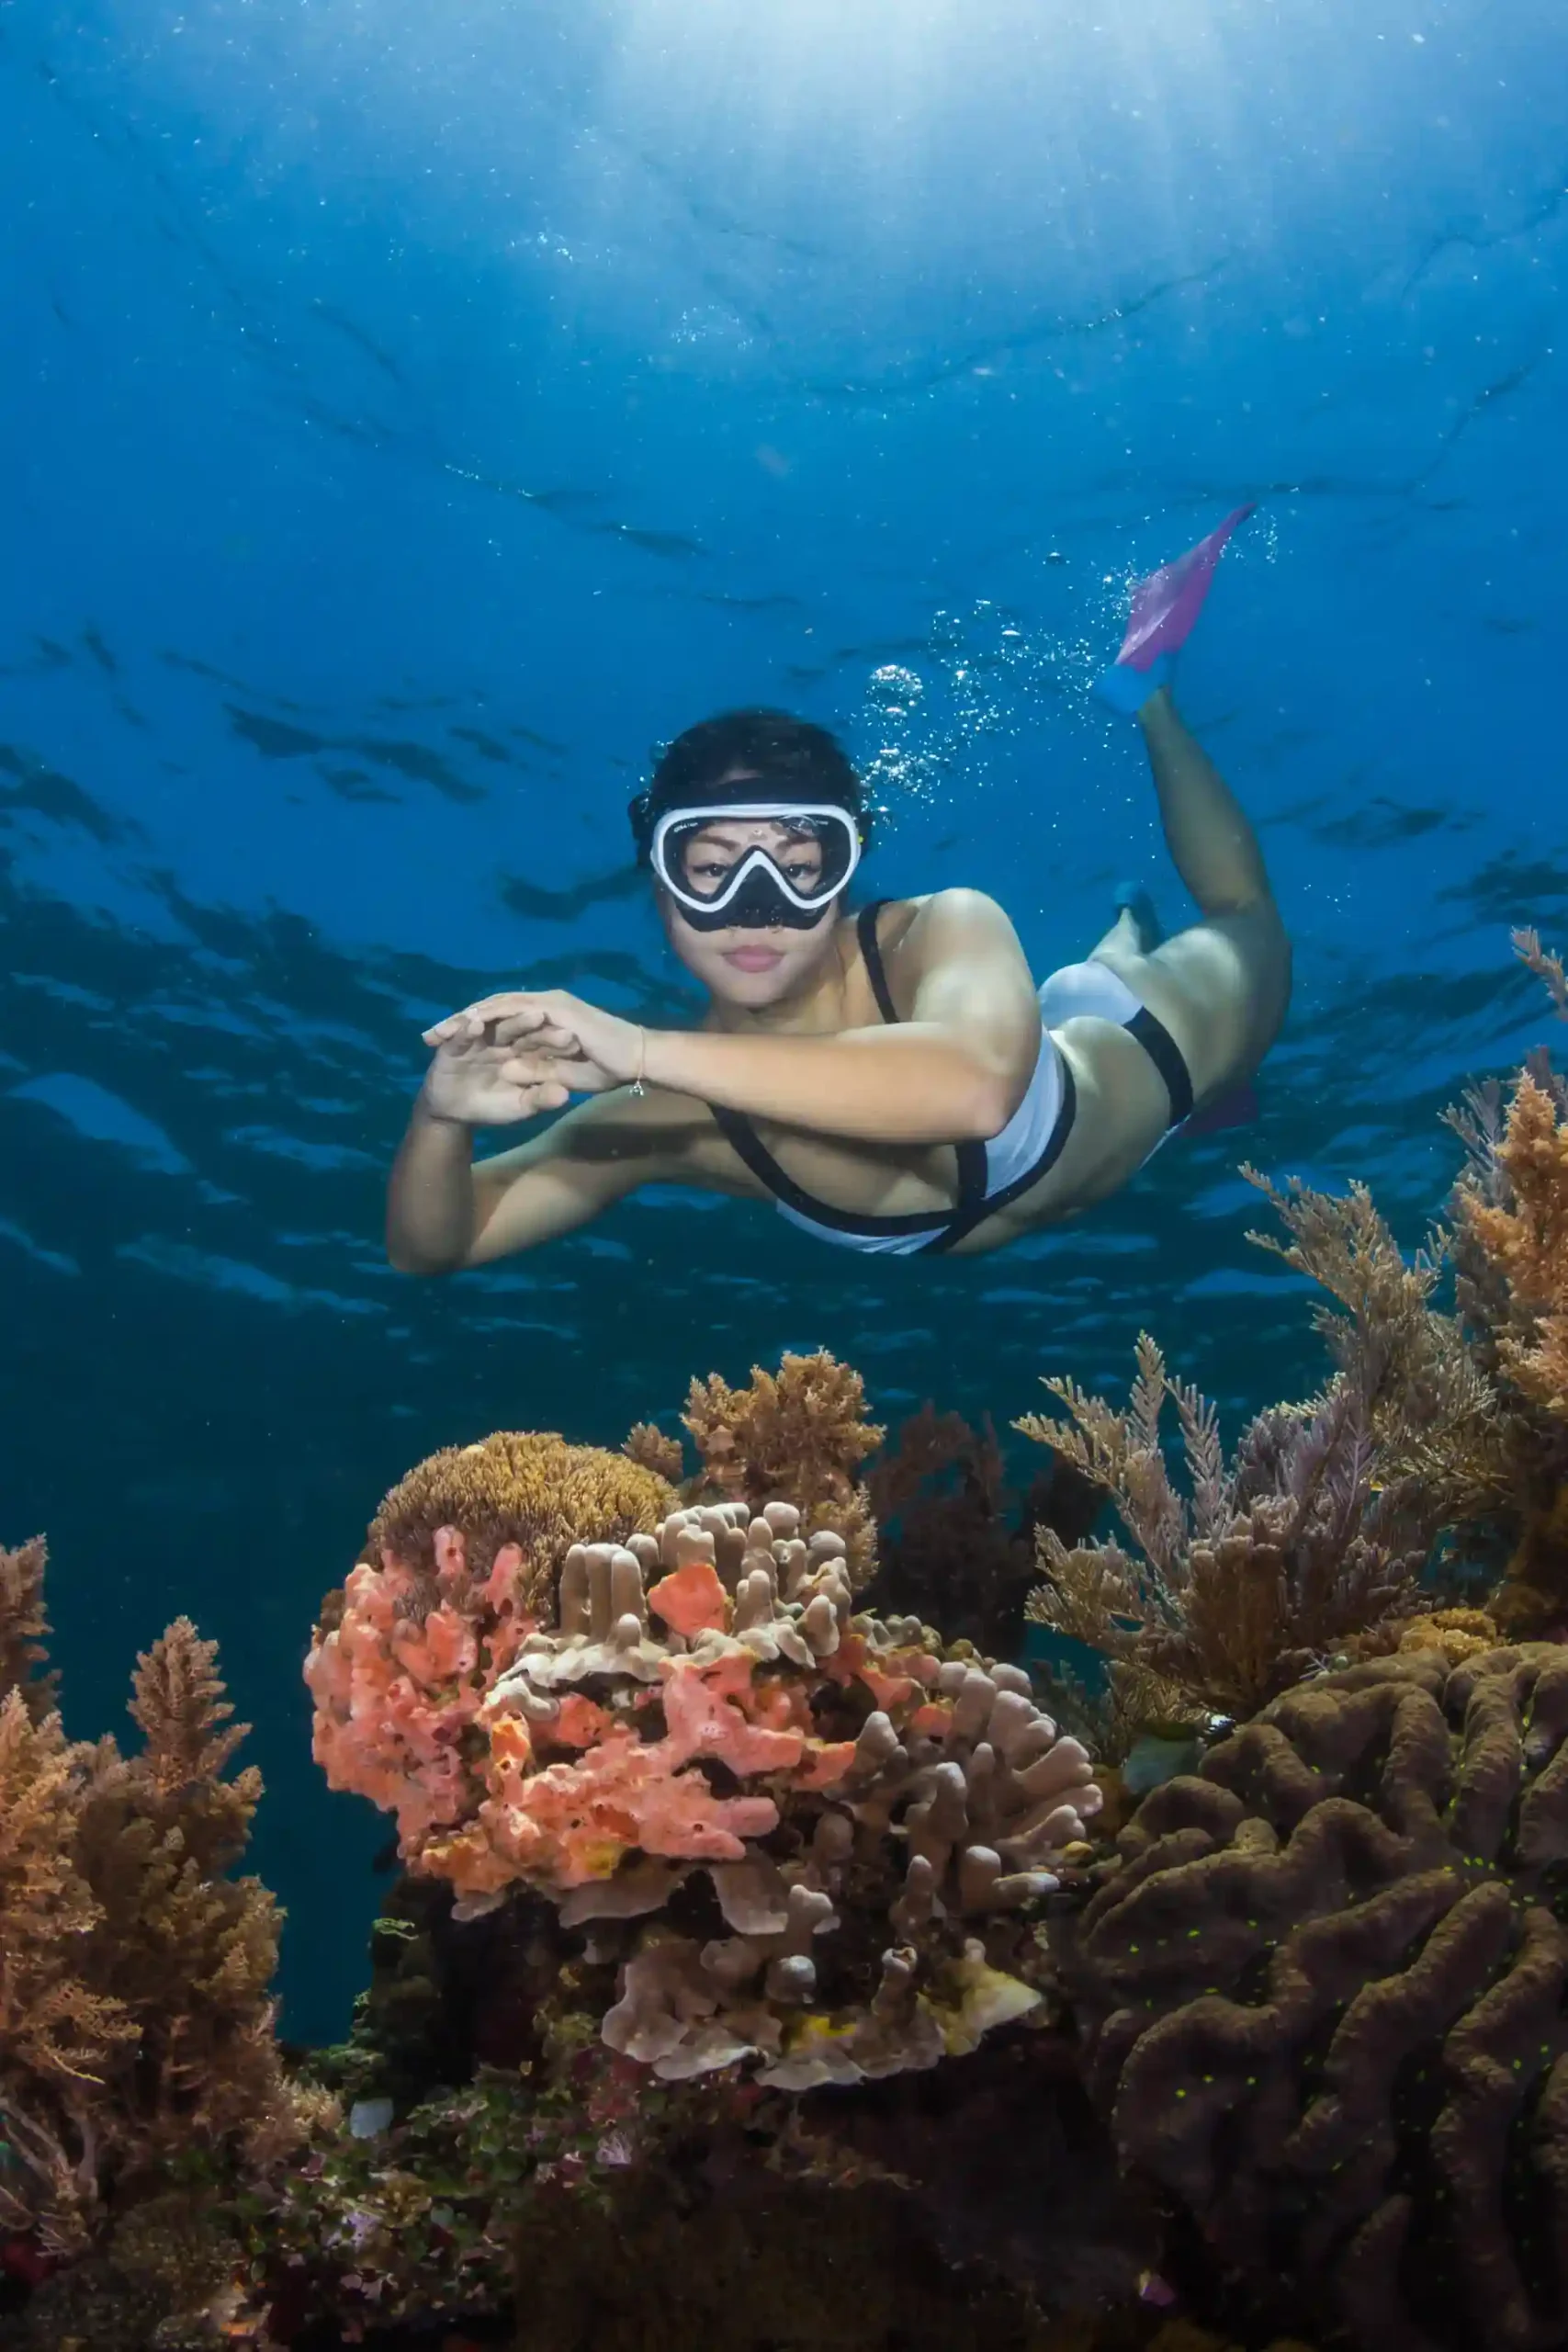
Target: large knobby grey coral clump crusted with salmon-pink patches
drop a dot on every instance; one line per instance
(831, 1831)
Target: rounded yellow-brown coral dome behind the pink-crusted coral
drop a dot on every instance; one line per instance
(518, 1488)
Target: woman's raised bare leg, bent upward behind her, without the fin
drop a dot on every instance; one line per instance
(1224, 984)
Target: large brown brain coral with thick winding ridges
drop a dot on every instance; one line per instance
(1325, 2000)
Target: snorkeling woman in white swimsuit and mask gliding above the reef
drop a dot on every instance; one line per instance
(892, 1081)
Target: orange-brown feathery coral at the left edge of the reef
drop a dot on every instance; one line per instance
(135, 2017)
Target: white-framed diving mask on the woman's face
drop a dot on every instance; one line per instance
(756, 888)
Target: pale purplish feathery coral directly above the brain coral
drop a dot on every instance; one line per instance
(1268, 1563)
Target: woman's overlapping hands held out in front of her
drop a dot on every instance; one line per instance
(528, 1050)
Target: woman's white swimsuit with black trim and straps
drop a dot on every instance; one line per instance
(991, 1175)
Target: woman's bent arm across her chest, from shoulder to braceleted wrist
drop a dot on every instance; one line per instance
(956, 1069)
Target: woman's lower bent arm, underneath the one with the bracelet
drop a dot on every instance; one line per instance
(445, 1212)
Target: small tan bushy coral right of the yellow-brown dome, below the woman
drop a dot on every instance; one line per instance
(793, 1436)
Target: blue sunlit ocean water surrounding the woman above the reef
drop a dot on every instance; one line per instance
(415, 415)
